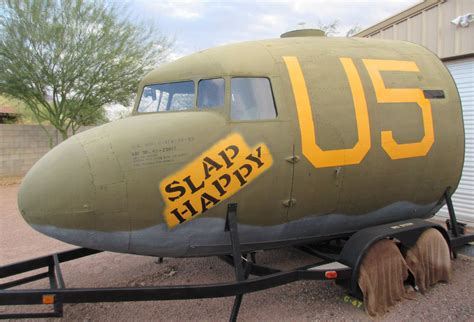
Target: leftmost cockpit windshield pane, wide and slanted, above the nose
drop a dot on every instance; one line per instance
(167, 97)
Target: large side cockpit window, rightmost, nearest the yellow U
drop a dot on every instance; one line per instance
(252, 99)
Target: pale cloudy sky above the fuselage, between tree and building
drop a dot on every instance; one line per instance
(198, 25)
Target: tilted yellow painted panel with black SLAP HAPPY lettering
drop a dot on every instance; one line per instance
(215, 175)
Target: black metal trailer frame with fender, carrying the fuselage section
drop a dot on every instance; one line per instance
(342, 267)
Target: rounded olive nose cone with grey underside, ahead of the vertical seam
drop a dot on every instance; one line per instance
(75, 194)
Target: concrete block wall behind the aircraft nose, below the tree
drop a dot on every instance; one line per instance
(21, 146)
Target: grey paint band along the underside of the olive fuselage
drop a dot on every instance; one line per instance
(206, 236)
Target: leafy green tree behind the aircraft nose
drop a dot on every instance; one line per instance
(66, 59)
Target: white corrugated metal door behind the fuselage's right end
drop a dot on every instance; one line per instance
(463, 198)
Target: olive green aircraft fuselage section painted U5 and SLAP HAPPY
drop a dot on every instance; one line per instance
(106, 188)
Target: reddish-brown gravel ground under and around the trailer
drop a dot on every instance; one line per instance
(301, 301)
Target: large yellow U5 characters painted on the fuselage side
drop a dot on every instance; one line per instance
(320, 158)
